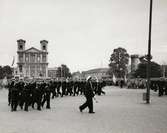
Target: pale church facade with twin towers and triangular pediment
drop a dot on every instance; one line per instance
(32, 62)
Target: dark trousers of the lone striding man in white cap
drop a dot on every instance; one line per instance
(88, 103)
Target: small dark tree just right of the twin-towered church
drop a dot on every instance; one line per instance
(63, 71)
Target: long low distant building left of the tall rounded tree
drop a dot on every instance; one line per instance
(99, 73)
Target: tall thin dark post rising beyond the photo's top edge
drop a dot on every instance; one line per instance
(149, 55)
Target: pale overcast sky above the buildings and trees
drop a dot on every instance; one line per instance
(82, 33)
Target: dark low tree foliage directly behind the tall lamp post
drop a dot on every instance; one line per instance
(142, 70)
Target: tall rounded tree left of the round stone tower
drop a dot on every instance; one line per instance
(118, 62)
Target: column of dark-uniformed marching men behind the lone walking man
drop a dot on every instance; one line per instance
(36, 94)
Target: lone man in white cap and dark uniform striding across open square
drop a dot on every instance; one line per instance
(89, 96)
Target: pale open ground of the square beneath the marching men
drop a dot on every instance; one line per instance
(119, 111)
